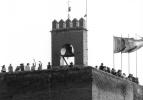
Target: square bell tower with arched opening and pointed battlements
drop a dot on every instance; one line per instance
(69, 34)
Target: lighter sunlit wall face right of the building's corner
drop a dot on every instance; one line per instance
(106, 86)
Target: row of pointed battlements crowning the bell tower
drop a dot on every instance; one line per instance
(69, 24)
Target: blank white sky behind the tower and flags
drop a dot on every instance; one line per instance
(25, 27)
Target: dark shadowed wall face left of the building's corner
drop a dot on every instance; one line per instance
(55, 84)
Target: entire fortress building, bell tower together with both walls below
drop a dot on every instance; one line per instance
(68, 83)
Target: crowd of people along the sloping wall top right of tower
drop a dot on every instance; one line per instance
(118, 73)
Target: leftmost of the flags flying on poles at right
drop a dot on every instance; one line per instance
(119, 44)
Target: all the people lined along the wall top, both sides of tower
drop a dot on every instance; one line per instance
(27, 67)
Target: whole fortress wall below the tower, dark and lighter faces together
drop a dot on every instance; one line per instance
(79, 83)
